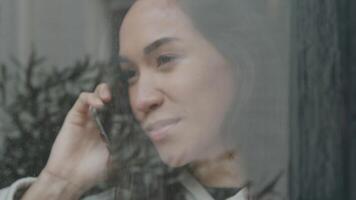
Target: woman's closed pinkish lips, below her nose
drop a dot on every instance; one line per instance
(159, 129)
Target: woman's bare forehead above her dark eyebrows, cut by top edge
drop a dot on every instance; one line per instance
(149, 20)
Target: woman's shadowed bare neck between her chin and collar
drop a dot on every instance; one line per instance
(223, 170)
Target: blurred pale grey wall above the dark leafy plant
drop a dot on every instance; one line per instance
(63, 30)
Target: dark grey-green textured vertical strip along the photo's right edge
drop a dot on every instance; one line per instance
(322, 95)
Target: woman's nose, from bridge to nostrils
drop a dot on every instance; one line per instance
(146, 97)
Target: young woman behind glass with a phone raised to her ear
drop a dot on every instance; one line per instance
(184, 87)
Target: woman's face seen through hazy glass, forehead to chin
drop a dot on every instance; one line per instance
(180, 87)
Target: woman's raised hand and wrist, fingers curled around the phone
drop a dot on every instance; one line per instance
(79, 158)
